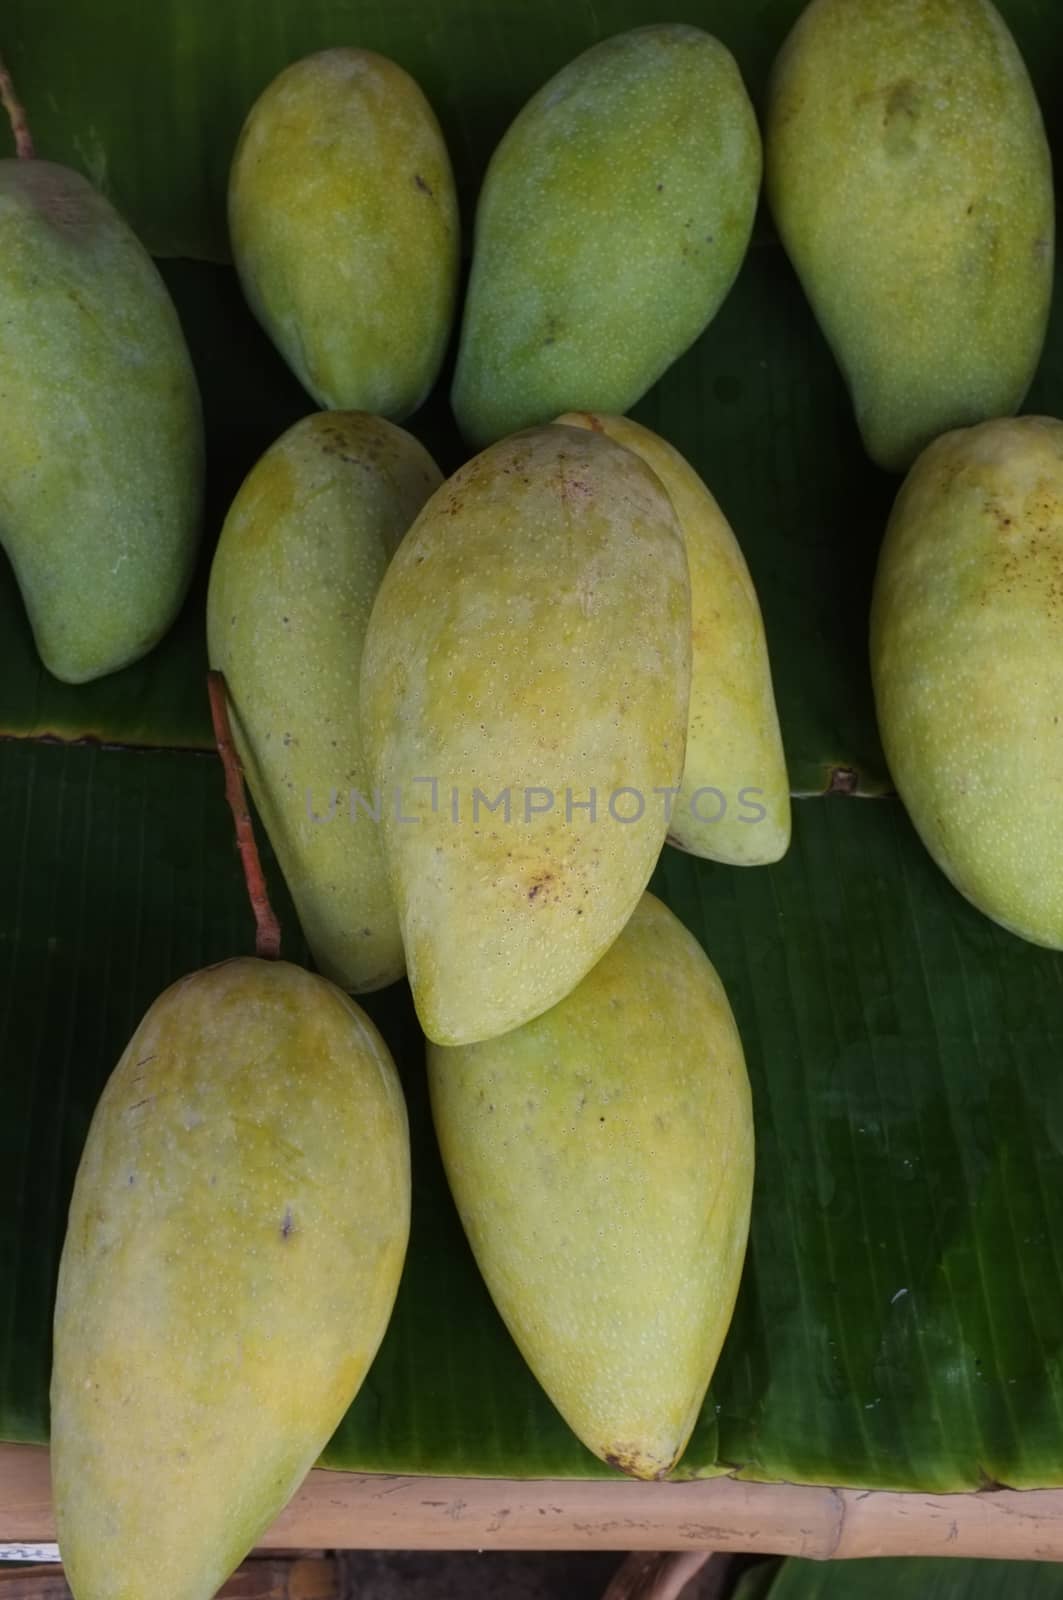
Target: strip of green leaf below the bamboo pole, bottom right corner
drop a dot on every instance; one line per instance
(884, 1578)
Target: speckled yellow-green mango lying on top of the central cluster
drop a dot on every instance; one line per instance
(532, 633)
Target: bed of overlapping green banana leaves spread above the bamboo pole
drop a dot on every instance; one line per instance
(902, 1314)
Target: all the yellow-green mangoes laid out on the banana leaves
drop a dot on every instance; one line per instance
(473, 711)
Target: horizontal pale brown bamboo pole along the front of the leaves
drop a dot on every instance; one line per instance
(353, 1511)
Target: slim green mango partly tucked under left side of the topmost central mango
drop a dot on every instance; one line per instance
(299, 566)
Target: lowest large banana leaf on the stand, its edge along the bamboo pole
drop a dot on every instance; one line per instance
(901, 1321)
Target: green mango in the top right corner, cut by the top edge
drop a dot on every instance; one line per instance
(912, 183)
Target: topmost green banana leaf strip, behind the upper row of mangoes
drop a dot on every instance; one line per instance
(150, 100)
